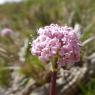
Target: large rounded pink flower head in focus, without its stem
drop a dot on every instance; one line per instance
(57, 40)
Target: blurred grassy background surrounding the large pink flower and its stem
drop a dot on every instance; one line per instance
(23, 74)
